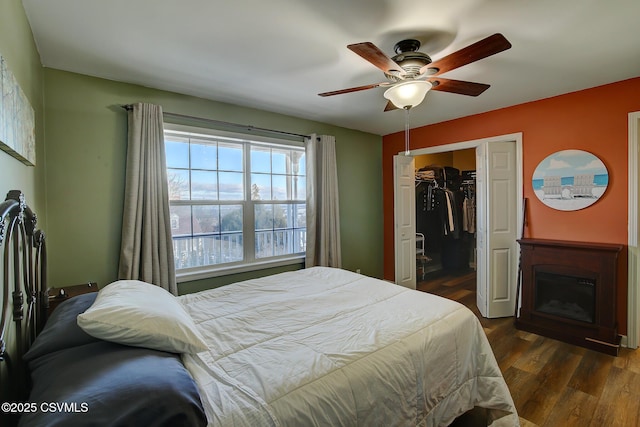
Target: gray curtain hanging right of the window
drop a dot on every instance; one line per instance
(323, 216)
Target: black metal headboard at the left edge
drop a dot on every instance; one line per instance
(24, 290)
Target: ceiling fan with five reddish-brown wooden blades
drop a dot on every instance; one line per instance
(411, 65)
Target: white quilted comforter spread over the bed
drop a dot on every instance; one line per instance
(328, 347)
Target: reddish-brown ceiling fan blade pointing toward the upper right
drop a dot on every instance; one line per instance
(474, 52)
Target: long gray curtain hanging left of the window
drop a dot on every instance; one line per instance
(147, 249)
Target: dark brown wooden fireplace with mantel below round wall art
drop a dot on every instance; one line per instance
(595, 265)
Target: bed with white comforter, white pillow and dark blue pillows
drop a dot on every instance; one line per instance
(317, 347)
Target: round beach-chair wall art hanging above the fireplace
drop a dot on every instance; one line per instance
(569, 180)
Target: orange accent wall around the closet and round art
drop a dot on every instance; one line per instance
(593, 120)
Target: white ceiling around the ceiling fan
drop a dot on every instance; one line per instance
(277, 55)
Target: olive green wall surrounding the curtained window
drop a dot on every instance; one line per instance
(86, 136)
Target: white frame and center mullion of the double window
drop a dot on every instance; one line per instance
(250, 263)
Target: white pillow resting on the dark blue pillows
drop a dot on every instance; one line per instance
(140, 314)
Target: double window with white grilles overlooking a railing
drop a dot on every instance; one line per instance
(234, 202)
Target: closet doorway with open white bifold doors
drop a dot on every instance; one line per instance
(491, 249)
